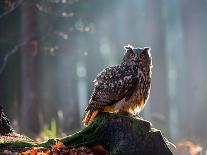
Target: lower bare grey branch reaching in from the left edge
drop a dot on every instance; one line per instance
(14, 50)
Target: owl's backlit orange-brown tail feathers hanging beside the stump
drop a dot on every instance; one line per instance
(89, 116)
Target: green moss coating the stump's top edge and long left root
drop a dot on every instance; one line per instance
(87, 135)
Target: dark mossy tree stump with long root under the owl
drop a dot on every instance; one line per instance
(119, 134)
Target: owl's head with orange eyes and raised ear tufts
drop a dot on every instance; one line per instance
(137, 56)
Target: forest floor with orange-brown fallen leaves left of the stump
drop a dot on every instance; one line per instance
(55, 147)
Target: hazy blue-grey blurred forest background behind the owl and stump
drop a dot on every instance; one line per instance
(51, 50)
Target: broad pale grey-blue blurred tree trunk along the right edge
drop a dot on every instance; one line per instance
(195, 36)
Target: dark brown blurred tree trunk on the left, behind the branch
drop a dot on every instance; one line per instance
(30, 72)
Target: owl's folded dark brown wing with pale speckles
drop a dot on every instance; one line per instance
(112, 85)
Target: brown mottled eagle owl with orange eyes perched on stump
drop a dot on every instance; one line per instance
(122, 88)
